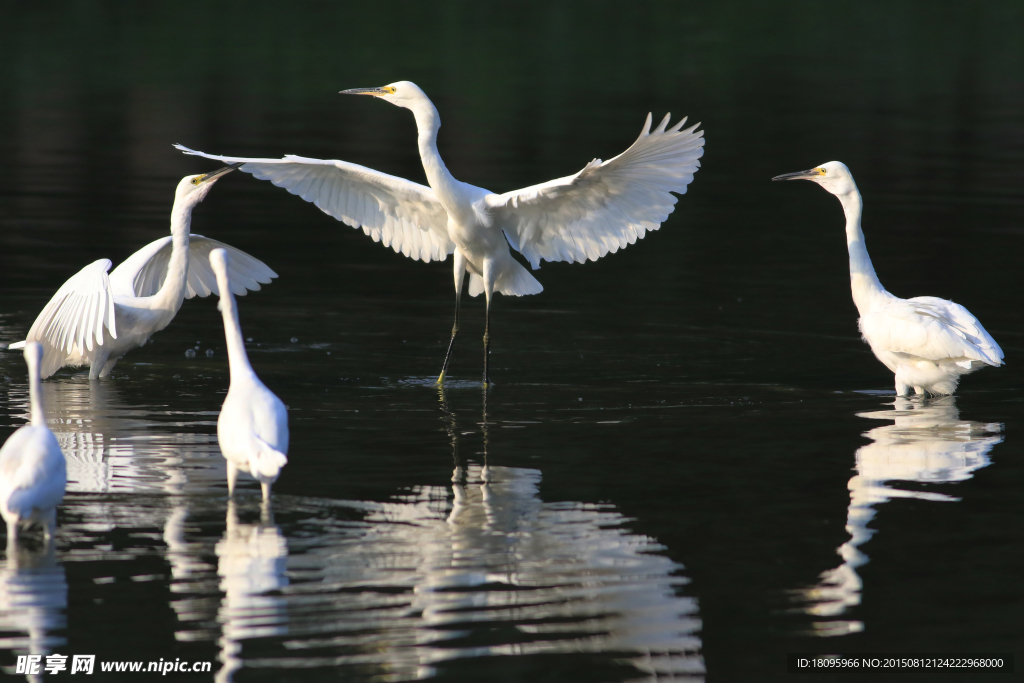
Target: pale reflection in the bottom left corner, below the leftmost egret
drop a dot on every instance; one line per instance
(33, 601)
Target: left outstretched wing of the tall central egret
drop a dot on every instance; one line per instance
(404, 216)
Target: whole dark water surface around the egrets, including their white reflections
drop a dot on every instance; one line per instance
(689, 464)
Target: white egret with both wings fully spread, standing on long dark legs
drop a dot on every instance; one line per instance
(602, 209)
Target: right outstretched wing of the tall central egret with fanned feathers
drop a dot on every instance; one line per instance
(606, 206)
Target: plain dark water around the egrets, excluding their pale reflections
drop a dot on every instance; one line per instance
(726, 344)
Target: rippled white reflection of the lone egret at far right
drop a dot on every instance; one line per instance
(928, 444)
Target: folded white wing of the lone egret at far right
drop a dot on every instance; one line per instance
(932, 329)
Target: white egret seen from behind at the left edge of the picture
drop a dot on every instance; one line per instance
(33, 473)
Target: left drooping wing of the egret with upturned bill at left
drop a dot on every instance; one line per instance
(76, 316)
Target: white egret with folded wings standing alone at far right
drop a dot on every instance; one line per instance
(928, 343)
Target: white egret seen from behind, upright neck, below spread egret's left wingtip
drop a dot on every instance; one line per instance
(252, 429)
